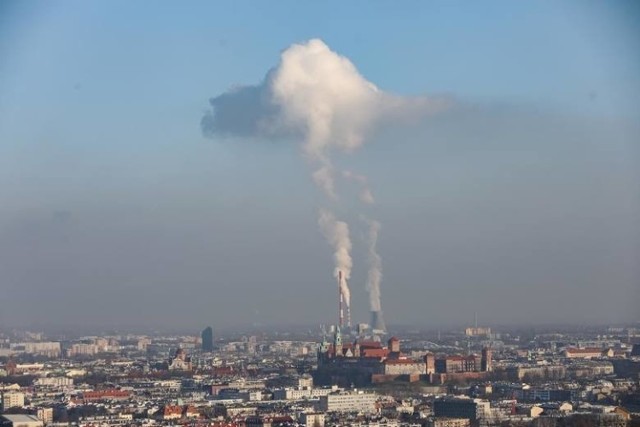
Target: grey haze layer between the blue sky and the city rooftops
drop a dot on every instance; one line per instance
(520, 215)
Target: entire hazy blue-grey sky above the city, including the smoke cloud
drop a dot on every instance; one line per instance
(166, 167)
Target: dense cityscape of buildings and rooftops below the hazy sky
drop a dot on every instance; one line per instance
(329, 376)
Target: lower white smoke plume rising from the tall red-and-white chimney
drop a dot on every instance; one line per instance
(337, 234)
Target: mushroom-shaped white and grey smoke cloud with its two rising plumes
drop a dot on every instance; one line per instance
(319, 98)
